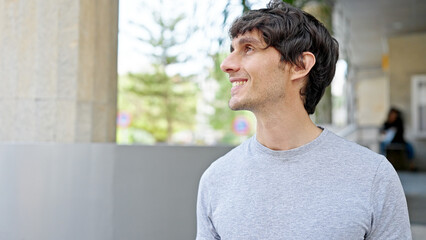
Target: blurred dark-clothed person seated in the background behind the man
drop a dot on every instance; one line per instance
(393, 130)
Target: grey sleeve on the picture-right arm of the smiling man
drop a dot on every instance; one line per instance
(389, 218)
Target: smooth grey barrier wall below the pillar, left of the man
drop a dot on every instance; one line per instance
(100, 191)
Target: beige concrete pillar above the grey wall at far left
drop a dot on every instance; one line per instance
(58, 70)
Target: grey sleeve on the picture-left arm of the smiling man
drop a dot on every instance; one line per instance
(205, 227)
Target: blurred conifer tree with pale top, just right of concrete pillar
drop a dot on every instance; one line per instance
(164, 104)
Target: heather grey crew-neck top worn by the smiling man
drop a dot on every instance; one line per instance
(329, 188)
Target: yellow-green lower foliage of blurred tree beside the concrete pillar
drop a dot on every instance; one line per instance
(161, 105)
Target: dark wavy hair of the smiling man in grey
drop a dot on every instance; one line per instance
(292, 31)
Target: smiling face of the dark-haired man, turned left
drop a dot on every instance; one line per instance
(258, 77)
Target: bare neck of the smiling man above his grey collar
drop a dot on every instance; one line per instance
(284, 130)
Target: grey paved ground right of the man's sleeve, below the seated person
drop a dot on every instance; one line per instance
(414, 184)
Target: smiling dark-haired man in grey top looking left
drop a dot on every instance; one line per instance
(293, 180)
